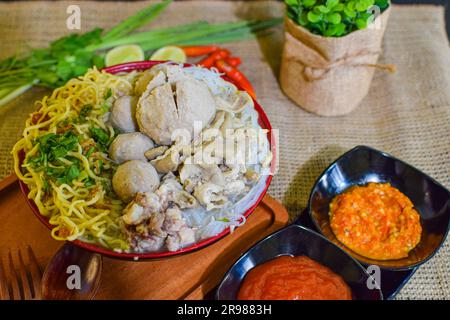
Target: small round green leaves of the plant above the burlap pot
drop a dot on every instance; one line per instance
(333, 18)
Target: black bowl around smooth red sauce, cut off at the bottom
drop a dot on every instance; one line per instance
(295, 240)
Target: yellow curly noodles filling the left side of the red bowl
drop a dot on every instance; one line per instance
(91, 213)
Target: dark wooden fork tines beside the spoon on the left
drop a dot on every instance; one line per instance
(24, 280)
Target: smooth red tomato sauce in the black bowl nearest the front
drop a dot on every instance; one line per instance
(293, 278)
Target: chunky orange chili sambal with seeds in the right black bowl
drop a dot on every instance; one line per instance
(376, 221)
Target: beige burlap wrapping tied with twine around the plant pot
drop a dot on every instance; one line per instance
(329, 76)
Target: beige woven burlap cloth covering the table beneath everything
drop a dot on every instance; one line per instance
(406, 114)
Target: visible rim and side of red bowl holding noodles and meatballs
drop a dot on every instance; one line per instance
(143, 65)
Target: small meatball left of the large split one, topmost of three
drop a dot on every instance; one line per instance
(123, 114)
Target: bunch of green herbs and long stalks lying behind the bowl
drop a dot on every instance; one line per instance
(73, 55)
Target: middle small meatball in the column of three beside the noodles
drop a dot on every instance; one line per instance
(130, 146)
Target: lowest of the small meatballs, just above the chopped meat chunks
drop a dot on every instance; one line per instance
(134, 176)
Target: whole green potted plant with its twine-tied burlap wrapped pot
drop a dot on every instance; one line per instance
(330, 52)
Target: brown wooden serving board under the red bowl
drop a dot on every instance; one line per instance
(189, 276)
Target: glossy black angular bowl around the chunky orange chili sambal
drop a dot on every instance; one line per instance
(362, 165)
